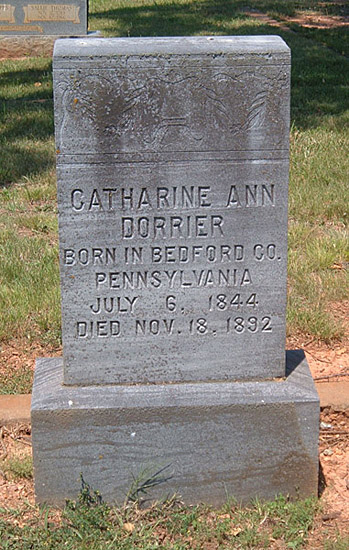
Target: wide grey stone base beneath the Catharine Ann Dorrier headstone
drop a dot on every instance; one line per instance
(241, 439)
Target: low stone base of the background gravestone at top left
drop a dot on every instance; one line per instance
(13, 46)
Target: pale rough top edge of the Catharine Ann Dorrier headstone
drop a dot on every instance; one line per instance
(97, 48)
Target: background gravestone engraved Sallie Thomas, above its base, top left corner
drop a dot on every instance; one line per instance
(45, 17)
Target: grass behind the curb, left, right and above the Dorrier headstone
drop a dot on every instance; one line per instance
(319, 190)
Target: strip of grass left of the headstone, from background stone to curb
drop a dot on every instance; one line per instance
(29, 295)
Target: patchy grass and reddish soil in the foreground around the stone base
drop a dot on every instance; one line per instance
(281, 524)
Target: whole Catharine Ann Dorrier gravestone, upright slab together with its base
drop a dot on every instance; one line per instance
(172, 168)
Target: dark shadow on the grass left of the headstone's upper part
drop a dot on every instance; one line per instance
(26, 123)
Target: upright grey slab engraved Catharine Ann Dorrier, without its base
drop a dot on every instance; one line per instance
(172, 162)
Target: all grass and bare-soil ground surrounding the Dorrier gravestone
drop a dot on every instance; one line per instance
(318, 304)
